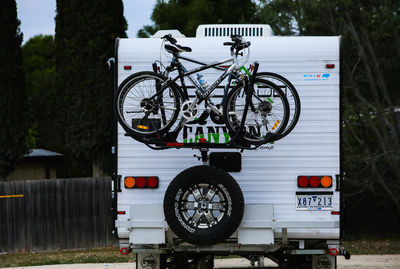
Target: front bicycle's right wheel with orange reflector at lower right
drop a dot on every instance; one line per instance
(267, 103)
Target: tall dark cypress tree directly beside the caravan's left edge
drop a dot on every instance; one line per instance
(85, 37)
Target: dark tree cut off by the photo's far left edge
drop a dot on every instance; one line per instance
(13, 101)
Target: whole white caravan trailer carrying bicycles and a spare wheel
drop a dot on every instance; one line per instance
(293, 224)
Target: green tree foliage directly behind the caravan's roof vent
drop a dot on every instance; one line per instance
(186, 15)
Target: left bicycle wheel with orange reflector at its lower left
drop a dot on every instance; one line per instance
(149, 116)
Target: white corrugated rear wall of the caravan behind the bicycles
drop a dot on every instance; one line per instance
(269, 175)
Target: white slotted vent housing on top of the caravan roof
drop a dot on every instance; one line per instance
(226, 30)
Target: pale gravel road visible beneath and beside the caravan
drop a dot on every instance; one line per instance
(356, 262)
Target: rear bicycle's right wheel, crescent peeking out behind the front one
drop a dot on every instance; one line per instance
(291, 94)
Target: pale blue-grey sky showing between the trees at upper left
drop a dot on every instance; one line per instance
(37, 16)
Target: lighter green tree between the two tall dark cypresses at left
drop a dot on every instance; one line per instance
(40, 73)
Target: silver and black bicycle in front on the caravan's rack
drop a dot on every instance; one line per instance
(148, 103)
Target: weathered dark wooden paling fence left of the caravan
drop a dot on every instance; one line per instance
(55, 214)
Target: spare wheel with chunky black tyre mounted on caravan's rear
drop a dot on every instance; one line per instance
(203, 205)
